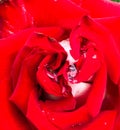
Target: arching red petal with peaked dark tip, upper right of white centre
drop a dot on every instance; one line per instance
(98, 34)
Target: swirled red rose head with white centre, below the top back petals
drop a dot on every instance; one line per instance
(43, 88)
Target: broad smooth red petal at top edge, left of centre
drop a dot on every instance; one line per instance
(50, 12)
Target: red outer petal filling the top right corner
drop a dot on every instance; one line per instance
(101, 8)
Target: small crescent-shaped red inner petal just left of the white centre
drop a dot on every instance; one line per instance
(50, 86)
